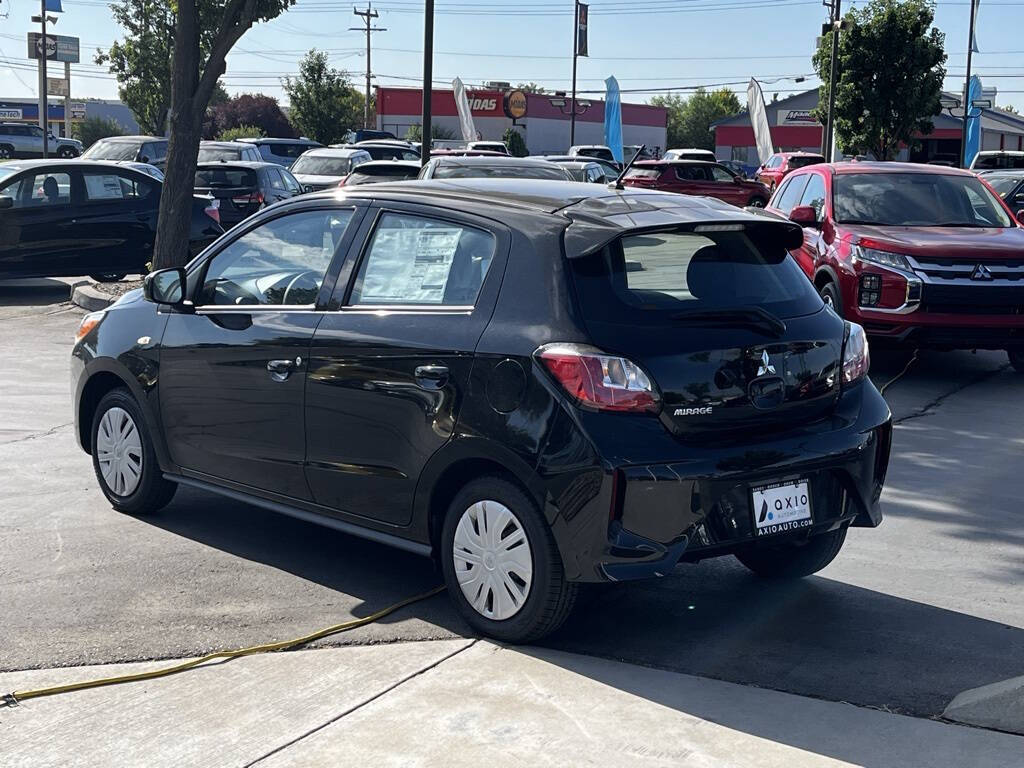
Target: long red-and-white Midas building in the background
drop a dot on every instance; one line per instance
(544, 122)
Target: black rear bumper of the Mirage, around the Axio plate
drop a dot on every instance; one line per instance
(650, 517)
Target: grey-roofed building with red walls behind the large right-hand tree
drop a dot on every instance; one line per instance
(794, 130)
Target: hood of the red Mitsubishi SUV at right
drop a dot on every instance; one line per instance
(943, 242)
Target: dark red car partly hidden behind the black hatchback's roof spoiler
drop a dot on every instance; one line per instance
(698, 178)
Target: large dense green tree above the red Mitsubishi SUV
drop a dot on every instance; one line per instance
(891, 68)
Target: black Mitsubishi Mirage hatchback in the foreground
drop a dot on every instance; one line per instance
(539, 383)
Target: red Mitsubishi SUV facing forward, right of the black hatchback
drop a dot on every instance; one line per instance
(920, 254)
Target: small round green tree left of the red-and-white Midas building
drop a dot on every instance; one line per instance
(324, 104)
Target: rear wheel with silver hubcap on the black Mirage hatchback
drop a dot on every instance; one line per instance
(531, 612)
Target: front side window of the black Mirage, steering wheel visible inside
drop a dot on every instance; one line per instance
(281, 263)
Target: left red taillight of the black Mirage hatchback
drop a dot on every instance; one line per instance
(599, 380)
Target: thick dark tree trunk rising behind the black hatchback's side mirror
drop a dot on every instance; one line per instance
(205, 32)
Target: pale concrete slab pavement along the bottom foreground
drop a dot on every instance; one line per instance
(459, 703)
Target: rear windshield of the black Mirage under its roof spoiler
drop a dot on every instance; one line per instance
(645, 279)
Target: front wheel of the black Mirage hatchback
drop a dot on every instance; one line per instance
(123, 457)
